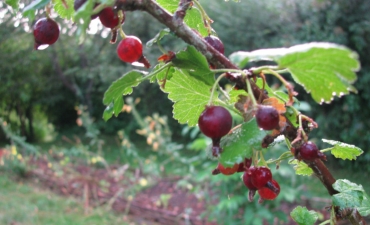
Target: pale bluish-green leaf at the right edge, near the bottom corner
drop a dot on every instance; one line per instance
(351, 196)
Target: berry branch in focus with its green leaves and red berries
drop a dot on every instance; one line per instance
(192, 78)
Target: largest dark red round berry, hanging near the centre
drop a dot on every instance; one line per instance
(215, 121)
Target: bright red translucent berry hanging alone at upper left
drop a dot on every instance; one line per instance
(130, 49)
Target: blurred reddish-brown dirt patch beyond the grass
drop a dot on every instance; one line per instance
(162, 203)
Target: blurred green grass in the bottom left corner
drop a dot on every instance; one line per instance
(22, 203)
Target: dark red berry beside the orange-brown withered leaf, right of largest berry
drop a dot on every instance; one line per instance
(267, 117)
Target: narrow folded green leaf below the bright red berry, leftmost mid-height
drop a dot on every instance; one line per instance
(113, 97)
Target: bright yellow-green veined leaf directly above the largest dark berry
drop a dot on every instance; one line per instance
(190, 96)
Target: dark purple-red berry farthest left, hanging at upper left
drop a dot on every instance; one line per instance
(45, 32)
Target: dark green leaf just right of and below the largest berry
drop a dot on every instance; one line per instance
(241, 143)
